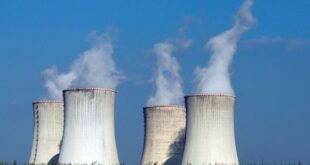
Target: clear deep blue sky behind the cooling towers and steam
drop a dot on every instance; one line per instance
(270, 71)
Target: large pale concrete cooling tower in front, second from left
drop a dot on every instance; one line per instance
(89, 136)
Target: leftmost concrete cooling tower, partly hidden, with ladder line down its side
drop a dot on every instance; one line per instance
(48, 131)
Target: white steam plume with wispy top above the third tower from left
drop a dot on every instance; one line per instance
(167, 81)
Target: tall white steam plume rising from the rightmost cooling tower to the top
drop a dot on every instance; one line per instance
(215, 78)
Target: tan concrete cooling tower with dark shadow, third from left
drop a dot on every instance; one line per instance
(164, 133)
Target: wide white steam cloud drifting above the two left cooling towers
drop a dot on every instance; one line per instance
(94, 68)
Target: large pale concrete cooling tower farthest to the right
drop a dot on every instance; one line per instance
(210, 137)
